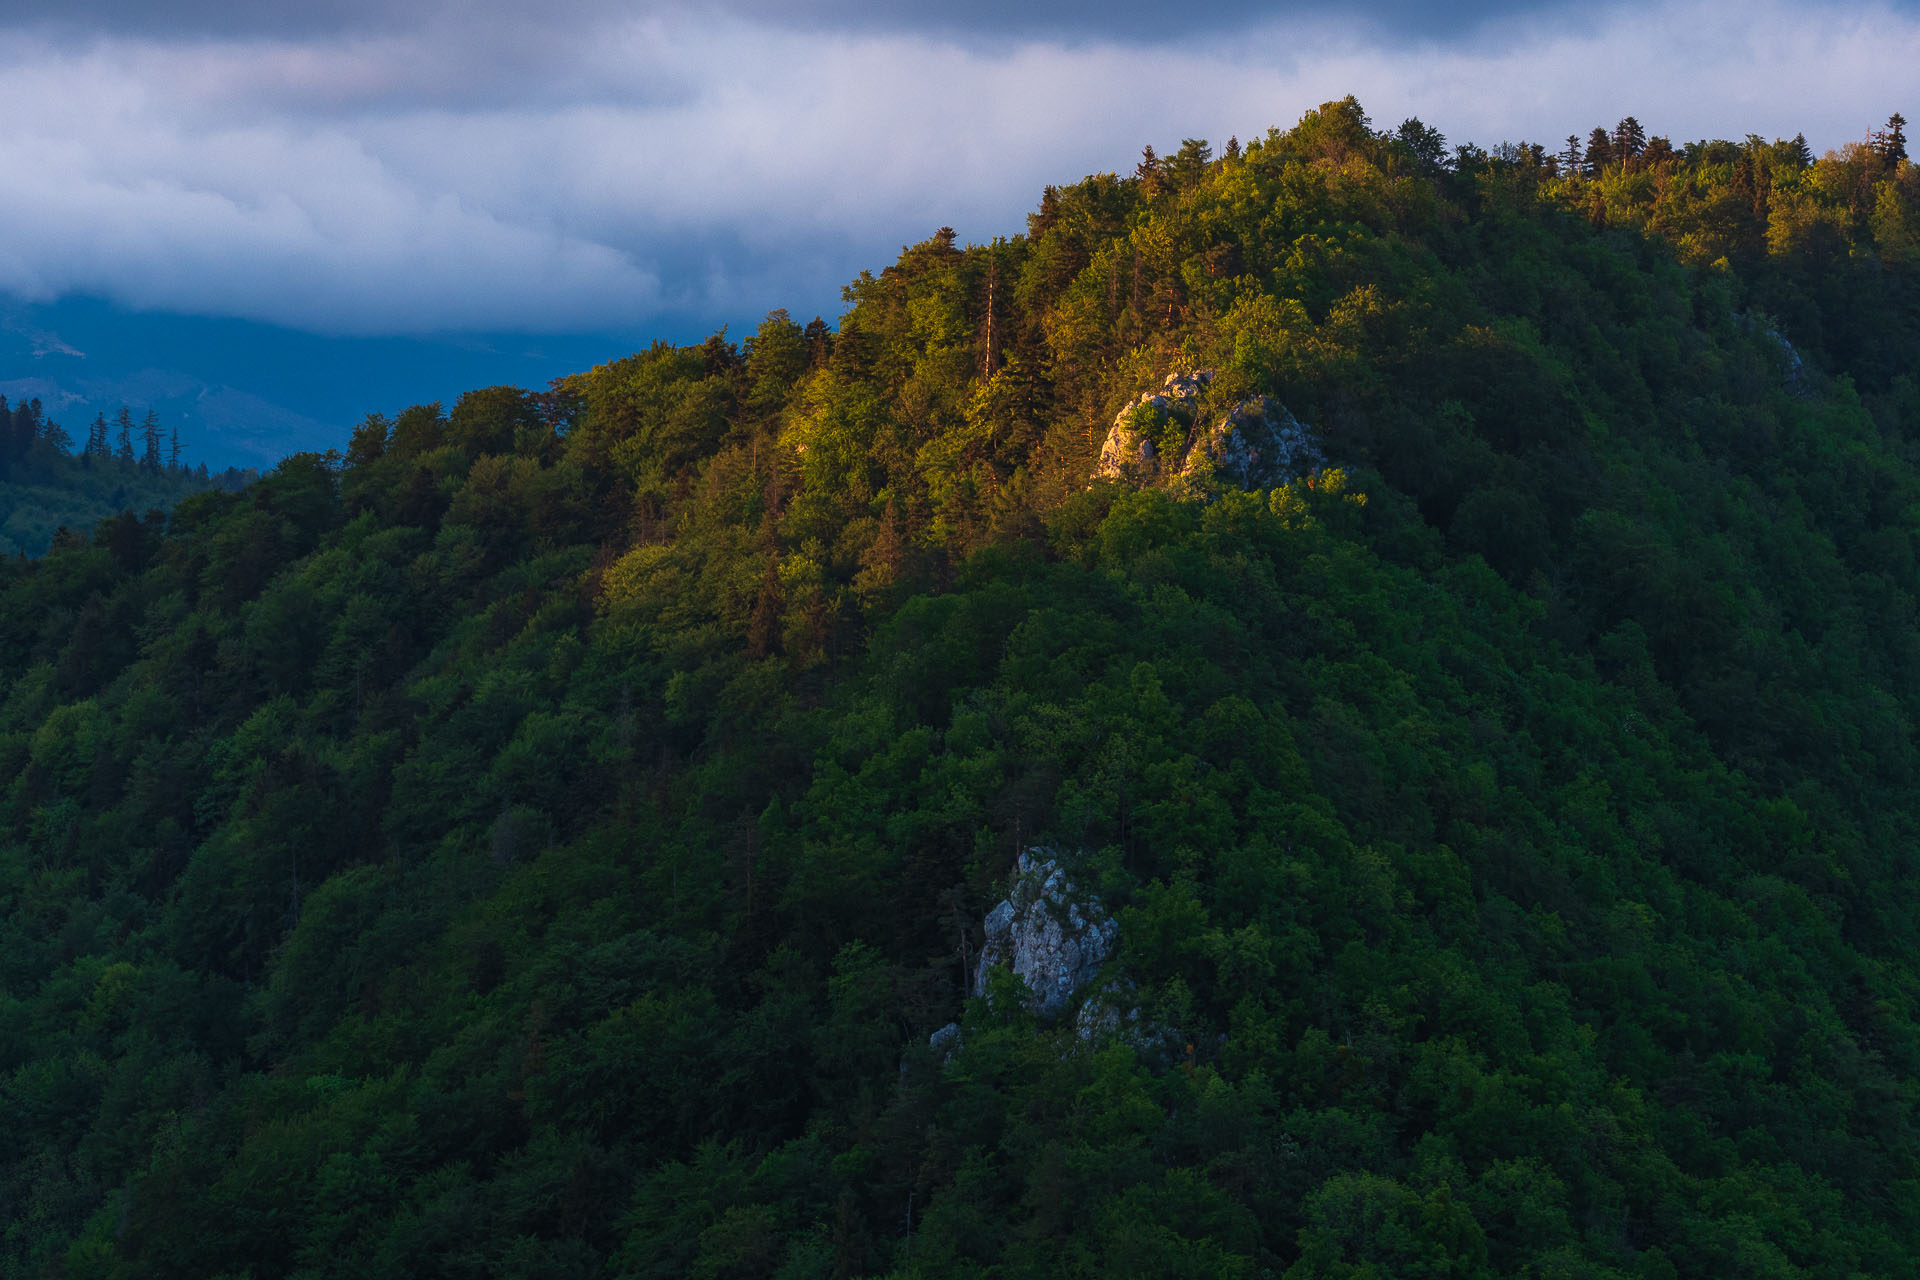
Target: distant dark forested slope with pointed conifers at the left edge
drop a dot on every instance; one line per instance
(47, 490)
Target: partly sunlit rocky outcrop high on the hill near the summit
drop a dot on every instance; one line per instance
(1257, 444)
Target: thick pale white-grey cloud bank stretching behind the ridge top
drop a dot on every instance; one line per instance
(627, 170)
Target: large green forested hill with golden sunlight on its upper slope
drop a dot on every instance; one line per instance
(544, 840)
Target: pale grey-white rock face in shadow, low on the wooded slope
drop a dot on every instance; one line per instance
(1047, 932)
